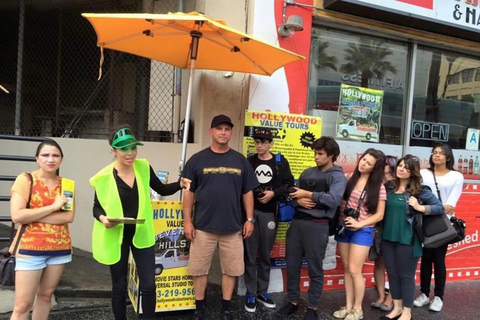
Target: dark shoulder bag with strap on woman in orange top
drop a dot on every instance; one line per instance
(7, 259)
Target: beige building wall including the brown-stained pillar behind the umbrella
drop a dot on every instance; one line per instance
(212, 93)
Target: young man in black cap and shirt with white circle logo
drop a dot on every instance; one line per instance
(274, 175)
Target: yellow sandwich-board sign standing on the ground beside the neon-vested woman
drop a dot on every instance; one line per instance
(174, 284)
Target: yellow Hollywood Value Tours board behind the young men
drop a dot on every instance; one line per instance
(293, 136)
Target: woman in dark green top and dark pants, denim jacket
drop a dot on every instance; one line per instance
(401, 247)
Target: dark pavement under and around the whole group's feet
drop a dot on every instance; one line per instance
(86, 285)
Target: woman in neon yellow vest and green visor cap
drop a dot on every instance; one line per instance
(122, 190)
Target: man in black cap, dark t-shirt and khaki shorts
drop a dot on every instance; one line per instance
(221, 179)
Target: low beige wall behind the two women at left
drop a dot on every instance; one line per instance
(84, 158)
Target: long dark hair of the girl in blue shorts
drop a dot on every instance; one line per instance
(374, 182)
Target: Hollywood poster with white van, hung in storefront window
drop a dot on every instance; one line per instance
(359, 113)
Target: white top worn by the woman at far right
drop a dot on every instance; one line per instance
(450, 185)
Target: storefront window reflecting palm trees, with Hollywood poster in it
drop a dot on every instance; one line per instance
(362, 61)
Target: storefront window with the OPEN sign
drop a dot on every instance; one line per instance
(446, 98)
